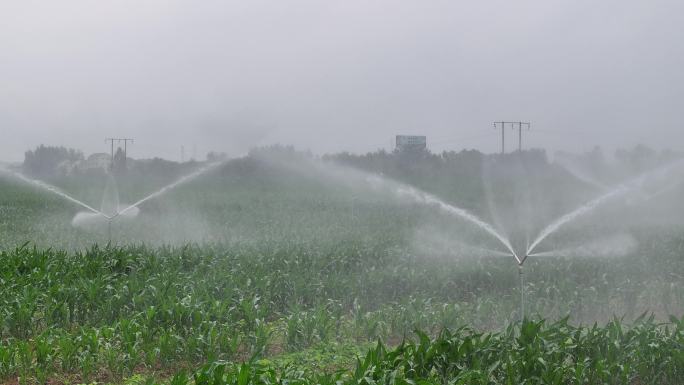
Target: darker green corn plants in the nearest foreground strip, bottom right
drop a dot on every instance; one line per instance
(533, 353)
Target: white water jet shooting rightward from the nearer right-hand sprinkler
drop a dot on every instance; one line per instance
(591, 205)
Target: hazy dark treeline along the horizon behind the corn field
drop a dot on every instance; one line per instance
(413, 166)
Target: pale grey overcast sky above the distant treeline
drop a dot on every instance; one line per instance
(338, 75)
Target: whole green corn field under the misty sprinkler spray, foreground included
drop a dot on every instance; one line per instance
(293, 283)
